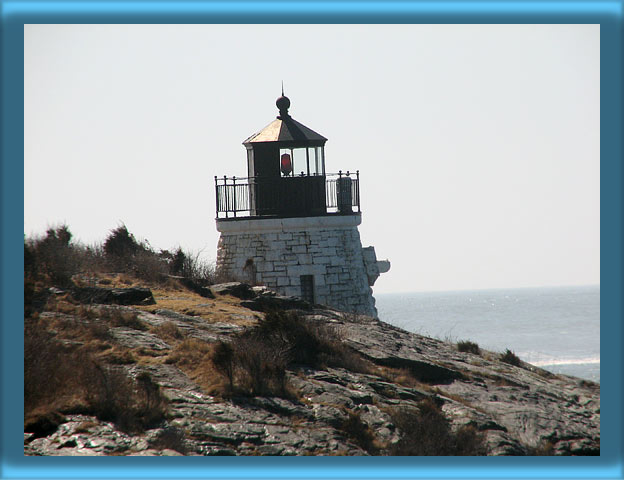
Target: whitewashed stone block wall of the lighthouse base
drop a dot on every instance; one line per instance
(276, 253)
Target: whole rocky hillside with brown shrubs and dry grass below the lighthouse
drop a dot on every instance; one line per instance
(201, 369)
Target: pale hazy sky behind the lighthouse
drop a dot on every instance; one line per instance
(477, 145)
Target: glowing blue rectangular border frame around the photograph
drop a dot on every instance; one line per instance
(17, 13)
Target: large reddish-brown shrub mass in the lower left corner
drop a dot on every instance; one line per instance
(70, 379)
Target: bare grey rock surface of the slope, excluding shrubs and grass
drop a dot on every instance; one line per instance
(518, 409)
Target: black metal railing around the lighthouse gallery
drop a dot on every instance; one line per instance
(306, 195)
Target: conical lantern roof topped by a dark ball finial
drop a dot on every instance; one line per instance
(285, 129)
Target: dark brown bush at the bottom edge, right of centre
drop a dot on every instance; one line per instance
(427, 431)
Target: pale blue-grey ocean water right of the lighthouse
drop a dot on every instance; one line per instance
(556, 328)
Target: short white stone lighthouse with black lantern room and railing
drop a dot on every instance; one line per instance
(291, 226)
